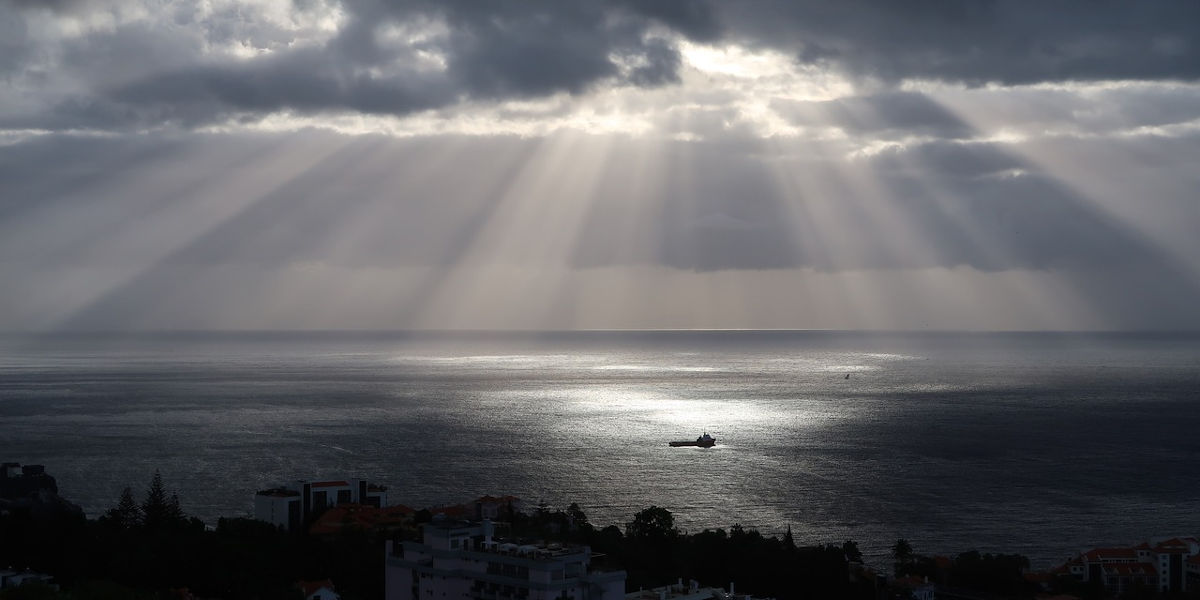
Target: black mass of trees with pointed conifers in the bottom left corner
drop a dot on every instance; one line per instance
(149, 549)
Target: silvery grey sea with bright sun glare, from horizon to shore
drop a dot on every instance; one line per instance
(1034, 443)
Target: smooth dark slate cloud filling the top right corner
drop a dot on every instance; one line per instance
(986, 41)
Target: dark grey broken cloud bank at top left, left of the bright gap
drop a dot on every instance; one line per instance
(493, 51)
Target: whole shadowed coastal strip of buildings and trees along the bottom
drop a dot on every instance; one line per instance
(499, 548)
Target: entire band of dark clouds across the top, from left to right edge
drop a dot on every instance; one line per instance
(508, 50)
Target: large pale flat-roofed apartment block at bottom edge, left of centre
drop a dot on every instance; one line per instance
(459, 561)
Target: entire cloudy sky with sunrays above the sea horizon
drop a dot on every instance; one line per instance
(286, 165)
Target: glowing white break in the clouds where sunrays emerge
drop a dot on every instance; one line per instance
(723, 91)
